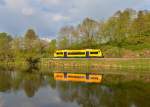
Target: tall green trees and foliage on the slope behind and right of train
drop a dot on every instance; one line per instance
(126, 29)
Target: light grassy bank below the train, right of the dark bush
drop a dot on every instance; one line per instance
(121, 63)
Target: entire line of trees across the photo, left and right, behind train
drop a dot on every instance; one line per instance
(124, 34)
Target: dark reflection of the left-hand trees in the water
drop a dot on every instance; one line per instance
(30, 82)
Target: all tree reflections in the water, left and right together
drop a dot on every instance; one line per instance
(115, 91)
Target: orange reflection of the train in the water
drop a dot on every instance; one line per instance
(76, 77)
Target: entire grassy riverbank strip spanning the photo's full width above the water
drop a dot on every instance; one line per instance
(125, 64)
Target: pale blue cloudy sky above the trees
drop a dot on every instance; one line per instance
(46, 17)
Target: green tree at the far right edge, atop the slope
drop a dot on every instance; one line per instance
(140, 27)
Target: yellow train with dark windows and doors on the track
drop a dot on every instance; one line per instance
(86, 53)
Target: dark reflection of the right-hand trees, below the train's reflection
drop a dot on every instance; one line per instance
(111, 93)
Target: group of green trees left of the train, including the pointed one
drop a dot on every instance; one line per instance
(28, 48)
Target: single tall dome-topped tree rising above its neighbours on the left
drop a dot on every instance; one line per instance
(33, 47)
